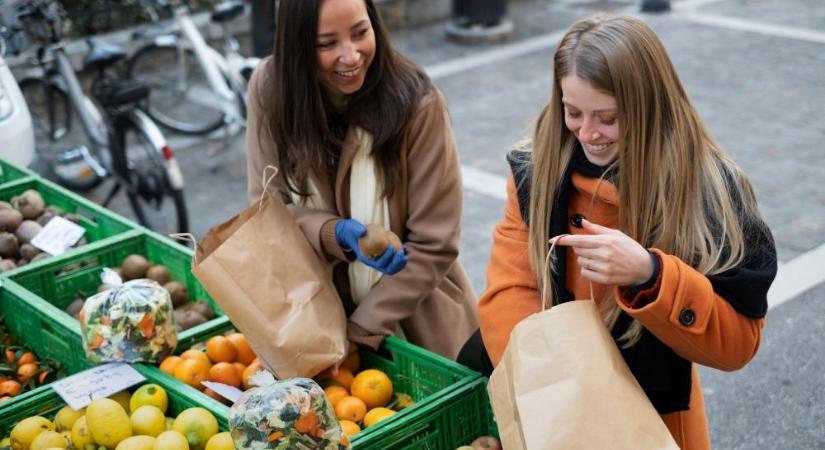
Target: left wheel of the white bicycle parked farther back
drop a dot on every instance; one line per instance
(180, 98)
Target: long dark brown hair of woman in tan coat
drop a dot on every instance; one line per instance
(306, 127)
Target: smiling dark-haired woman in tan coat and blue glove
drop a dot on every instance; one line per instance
(360, 135)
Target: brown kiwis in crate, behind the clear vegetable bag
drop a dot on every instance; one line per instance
(187, 313)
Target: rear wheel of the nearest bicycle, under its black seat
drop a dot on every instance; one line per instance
(153, 201)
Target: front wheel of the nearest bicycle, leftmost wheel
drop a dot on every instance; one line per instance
(57, 134)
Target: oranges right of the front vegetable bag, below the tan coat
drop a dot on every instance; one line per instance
(361, 399)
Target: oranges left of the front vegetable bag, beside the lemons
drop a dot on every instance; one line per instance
(223, 359)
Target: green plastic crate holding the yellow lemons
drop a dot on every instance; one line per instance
(47, 402)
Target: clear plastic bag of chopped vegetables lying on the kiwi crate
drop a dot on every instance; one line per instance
(130, 322)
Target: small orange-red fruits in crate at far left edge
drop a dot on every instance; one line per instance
(20, 368)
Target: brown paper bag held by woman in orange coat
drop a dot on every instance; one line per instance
(562, 384)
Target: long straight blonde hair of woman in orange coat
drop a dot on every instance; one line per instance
(679, 191)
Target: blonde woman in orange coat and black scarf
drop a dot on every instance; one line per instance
(645, 206)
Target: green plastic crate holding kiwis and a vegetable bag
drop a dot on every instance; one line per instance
(44, 289)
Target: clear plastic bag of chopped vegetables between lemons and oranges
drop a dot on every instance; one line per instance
(285, 415)
